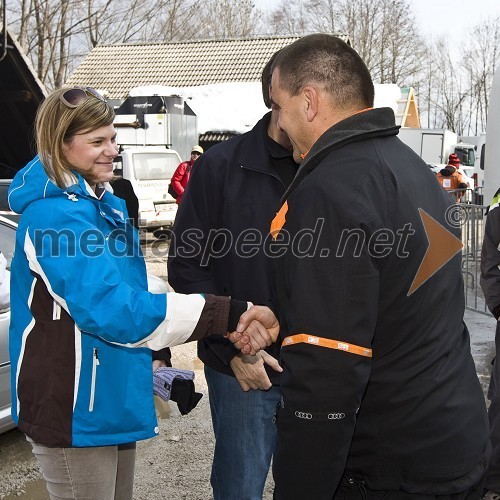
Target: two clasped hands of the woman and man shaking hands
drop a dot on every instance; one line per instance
(257, 329)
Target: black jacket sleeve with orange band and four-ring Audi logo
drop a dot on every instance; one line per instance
(330, 314)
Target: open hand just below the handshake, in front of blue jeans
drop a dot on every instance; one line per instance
(250, 372)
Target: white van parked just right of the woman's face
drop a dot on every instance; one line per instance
(149, 170)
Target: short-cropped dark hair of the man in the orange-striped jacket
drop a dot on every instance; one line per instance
(327, 61)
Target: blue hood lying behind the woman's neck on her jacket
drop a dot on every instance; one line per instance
(32, 183)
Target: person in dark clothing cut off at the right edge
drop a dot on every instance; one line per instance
(490, 284)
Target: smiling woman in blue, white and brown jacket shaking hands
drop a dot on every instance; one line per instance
(83, 323)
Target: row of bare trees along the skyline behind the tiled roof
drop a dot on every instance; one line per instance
(453, 90)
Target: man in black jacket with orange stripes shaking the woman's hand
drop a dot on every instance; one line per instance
(380, 394)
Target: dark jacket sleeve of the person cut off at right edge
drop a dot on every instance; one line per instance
(490, 260)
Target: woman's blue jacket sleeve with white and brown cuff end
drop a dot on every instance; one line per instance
(87, 281)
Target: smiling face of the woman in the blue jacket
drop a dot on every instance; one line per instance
(91, 154)
